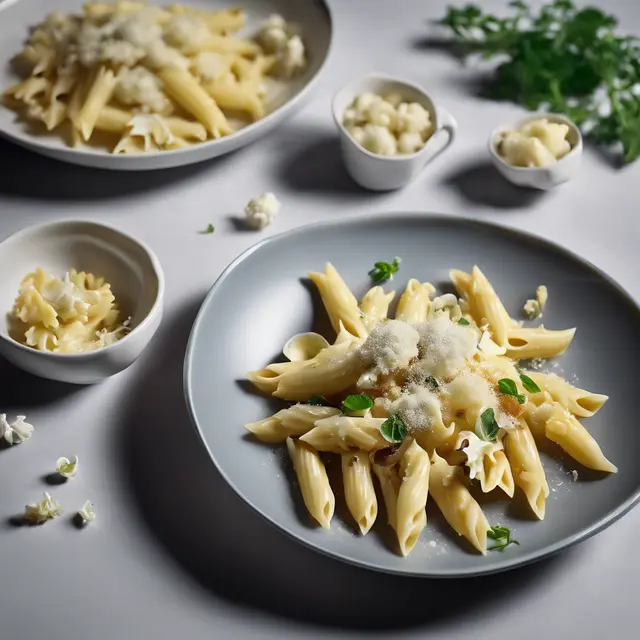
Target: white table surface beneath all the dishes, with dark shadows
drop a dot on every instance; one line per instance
(174, 553)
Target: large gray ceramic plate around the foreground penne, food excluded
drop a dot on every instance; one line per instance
(261, 300)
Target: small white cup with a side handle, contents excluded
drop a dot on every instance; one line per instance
(385, 173)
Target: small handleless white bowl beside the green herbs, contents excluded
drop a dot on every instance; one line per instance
(543, 178)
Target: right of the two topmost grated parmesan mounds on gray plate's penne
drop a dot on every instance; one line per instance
(444, 346)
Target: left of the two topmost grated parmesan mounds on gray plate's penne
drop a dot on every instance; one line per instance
(390, 346)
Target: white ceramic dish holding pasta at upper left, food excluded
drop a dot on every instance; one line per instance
(313, 17)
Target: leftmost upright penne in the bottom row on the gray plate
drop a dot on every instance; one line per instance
(313, 481)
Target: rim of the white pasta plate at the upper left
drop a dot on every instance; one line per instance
(235, 141)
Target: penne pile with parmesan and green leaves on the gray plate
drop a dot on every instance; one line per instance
(442, 367)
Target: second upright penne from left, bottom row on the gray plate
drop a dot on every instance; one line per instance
(358, 489)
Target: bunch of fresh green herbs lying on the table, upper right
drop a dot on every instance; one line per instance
(563, 59)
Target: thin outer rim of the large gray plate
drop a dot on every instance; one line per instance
(505, 565)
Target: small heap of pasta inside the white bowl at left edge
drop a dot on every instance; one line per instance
(70, 315)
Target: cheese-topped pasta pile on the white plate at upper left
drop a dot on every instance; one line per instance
(143, 78)
